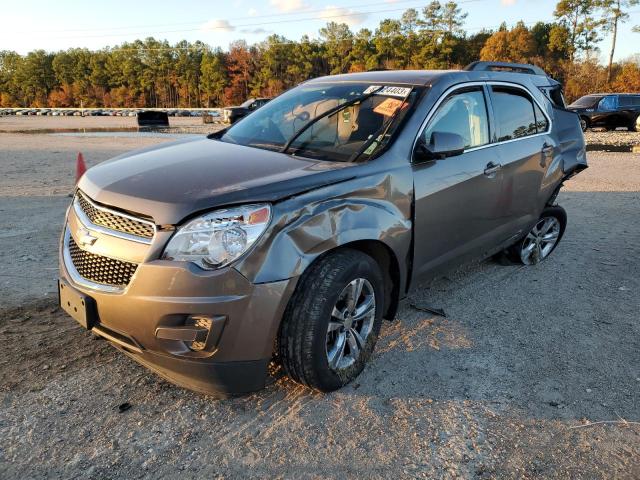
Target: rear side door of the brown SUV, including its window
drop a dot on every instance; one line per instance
(526, 150)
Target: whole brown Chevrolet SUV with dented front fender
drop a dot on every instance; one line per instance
(297, 230)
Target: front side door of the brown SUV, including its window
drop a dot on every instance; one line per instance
(457, 204)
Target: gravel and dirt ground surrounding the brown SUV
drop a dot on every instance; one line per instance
(510, 384)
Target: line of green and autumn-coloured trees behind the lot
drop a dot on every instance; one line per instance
(154, 73)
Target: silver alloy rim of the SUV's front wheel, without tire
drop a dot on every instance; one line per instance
(351, 323)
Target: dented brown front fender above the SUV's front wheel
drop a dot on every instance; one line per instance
(309, 225)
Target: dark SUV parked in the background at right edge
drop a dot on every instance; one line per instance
(608, 110)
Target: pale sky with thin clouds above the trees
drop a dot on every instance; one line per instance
(56, 25)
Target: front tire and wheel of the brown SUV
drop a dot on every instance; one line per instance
(305, 343)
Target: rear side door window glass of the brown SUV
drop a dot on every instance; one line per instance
(515, 115)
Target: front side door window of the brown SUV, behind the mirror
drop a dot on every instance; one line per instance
(463, 113)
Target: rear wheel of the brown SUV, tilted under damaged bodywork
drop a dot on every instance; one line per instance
(522, 251)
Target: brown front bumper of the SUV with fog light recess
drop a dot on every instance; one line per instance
(166, 295)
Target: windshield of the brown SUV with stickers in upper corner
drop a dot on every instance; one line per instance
(342, 136)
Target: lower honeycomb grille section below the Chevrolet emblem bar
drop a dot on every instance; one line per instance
(99, 269)
